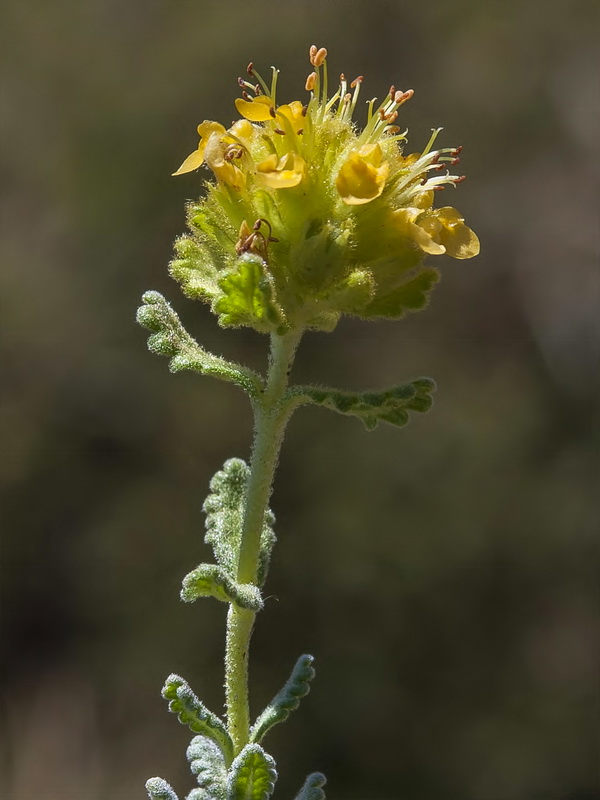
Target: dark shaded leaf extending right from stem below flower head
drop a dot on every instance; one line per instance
(392, 406)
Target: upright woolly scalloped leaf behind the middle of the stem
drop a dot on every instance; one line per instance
(224, 508)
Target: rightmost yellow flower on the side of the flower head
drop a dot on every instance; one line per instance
(436, 231)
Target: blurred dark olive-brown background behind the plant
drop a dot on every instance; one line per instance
(443, 575)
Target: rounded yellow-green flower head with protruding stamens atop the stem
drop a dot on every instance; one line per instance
(309, 217)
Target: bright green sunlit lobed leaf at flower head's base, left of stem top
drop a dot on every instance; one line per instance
(249, 297)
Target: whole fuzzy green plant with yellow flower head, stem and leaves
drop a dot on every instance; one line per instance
(304, 217)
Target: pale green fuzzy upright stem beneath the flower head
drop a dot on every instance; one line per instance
(271, 415)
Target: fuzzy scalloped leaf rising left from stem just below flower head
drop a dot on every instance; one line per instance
(169, 338)
